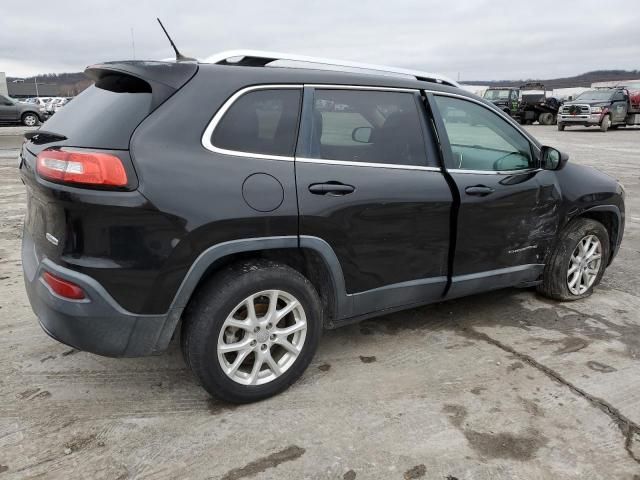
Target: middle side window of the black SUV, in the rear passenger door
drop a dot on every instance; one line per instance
(367, 126)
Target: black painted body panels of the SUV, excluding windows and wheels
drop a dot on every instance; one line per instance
(402, 238)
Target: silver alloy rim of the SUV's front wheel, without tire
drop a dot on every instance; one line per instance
(584, 265)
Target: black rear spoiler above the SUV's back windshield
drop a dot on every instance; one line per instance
(163, 78)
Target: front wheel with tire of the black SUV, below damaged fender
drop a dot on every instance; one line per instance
(557, 274)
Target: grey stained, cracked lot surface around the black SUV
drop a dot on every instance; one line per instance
(502, 385)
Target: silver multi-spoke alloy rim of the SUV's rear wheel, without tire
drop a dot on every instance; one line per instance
(262, 337)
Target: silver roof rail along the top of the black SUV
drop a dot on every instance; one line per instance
(258, 58)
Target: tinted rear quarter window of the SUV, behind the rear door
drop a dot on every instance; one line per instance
(262, 121)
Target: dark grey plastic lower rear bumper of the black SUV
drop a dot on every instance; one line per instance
(96, 324)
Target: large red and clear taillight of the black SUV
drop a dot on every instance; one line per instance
(89, 168)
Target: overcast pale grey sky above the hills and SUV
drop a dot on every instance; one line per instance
(476, 39)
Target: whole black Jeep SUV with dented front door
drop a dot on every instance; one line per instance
(259, 205)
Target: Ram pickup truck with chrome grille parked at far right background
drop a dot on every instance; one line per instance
(604, 107)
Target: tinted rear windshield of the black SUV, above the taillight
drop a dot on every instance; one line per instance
(104, 115)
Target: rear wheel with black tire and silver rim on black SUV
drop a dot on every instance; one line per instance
(225, 298)
